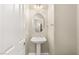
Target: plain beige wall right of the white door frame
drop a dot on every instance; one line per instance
(65, 29)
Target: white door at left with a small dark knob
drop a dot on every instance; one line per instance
(11, 29)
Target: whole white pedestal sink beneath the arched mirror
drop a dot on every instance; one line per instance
(38, 41)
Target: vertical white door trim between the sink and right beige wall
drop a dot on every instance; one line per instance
(51, 29)
